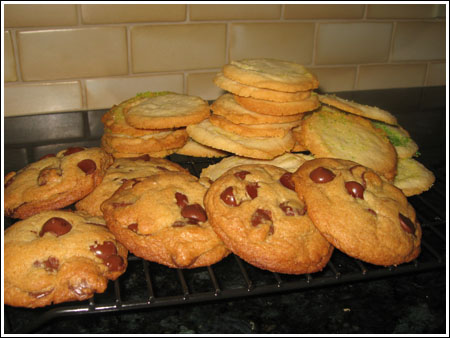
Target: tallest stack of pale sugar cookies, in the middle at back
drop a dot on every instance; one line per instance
(265, 100)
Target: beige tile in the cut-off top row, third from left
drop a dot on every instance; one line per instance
(234, 12)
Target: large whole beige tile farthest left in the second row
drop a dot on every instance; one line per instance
(71, 53)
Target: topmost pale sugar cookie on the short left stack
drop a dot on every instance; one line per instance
(166, 111)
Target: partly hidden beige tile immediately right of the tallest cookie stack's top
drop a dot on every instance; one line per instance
(335, 79)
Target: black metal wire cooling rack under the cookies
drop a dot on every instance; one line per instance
(150, 285)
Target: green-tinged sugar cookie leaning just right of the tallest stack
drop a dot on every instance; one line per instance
(330, 133)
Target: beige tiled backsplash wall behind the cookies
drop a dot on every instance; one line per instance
(74, 57)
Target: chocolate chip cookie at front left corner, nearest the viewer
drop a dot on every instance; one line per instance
(59, 256)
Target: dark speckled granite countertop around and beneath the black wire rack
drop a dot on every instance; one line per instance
(413, 301)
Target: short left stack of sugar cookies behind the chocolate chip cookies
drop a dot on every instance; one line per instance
(152, 123)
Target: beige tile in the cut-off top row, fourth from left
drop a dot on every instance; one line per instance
(314, 12)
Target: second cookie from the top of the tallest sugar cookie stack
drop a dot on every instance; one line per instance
(258, 93)
